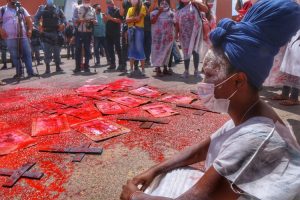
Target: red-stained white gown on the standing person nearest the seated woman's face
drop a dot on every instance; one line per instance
(190, 30)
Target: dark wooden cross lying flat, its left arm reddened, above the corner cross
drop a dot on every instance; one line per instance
(79, 151)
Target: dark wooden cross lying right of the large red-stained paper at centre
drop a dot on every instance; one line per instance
(147, 122)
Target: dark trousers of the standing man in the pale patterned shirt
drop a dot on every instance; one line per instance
(83, 39)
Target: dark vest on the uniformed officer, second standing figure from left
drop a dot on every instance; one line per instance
(51, 18)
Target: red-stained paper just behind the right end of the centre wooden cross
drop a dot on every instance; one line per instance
(160, 110)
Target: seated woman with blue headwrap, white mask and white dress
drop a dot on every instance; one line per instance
(253, 156)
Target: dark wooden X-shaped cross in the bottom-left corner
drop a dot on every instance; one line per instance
(22, 172)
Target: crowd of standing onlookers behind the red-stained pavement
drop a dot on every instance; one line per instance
(140, 32)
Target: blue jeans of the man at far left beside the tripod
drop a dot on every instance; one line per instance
(25, 55)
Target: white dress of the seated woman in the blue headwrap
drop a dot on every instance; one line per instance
(270, 173)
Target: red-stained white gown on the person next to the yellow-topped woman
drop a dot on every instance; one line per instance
(163, 35)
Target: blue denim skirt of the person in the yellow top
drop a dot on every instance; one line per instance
(136, 44)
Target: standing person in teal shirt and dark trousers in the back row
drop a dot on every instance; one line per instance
(99, 34)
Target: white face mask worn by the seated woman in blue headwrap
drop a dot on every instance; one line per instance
(206, 92)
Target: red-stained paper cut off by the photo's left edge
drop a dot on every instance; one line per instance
(11, 140)
